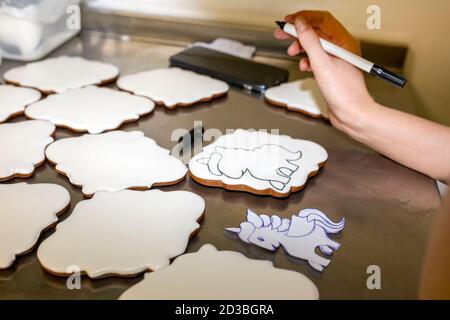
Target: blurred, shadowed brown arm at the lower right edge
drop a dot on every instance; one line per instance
(435, 273)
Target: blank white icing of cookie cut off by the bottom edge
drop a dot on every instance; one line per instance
(222, 275)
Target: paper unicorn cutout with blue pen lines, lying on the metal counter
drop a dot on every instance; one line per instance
(299, 236)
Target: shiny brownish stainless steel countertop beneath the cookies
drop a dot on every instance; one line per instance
(388, 208)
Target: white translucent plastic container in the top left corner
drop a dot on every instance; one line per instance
(30, 29)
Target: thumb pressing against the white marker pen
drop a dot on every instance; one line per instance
(311, 43)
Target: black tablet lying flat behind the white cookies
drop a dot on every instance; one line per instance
(234, 70)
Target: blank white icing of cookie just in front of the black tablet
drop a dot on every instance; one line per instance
(173, 86)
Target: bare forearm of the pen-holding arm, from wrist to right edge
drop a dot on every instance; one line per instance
(412, 141)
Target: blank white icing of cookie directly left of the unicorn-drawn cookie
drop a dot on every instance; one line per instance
(115, 161)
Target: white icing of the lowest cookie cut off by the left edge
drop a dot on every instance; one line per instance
(25, 211)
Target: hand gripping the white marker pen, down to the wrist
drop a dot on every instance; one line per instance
(341, 84)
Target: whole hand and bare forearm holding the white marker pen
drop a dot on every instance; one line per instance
(409, 140)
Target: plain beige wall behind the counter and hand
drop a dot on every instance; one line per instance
(422, 25)
